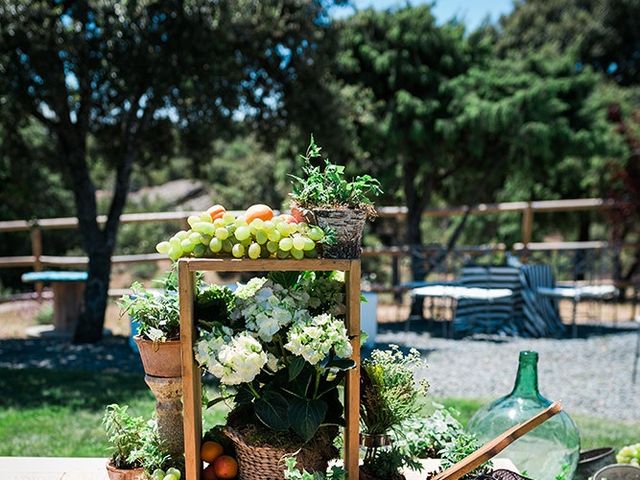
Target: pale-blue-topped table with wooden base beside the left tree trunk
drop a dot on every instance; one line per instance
(68, 296)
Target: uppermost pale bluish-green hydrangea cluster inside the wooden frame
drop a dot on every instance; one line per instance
(266, 307)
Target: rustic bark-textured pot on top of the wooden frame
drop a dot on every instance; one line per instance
(348, 226)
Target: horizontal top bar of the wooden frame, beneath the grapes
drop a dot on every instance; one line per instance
(266, 264)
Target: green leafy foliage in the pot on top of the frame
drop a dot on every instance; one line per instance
(327, 187)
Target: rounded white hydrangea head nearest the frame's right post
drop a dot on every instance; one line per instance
(313, 338)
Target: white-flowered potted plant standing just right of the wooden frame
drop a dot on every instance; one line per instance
(389, 396)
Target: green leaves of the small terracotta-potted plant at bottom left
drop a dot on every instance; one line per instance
(124, 434)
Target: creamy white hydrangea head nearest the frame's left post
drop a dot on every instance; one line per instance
(233, 360)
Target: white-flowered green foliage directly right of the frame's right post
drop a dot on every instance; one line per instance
(390, 394)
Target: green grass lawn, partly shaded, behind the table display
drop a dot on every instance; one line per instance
(58, 413)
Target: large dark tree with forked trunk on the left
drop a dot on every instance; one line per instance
(121, 72)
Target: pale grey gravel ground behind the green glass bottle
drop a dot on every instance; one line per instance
(590, 375)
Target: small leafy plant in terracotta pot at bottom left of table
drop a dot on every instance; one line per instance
(124, 434)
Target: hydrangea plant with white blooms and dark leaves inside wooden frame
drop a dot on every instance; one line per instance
(280, 362)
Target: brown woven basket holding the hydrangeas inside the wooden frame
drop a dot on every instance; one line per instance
(266, 463)
